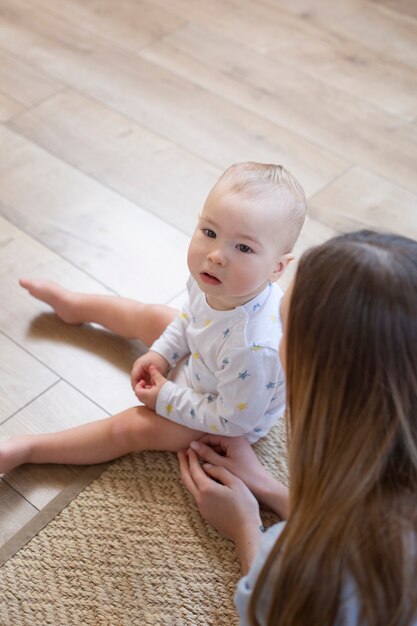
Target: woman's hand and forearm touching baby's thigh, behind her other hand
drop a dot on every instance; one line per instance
(236, 455)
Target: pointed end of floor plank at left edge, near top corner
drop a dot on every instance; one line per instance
(24, 84)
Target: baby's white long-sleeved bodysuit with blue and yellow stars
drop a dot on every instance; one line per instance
(226, 378)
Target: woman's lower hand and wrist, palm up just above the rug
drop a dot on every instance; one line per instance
(225, 502)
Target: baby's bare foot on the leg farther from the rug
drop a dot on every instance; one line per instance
(64, 302)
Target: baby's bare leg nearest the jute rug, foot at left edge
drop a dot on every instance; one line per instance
(133, 430)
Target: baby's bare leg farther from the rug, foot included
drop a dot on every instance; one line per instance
(125, 317)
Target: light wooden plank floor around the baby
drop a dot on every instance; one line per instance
(116, 119)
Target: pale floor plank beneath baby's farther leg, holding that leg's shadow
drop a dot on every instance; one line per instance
(95, 362)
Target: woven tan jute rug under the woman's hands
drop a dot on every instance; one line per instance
(131, 548)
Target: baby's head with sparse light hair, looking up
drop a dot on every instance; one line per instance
(246, 231)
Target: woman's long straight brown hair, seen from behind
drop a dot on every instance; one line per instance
(352, 426)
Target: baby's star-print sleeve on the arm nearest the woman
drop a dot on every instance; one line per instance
(245, 388)
